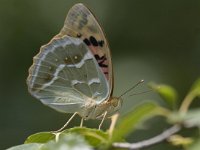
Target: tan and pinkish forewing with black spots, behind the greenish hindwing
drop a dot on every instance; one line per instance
(81, 23)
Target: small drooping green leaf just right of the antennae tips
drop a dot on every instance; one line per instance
(168, 93)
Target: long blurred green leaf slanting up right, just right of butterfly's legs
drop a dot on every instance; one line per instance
(128, 123)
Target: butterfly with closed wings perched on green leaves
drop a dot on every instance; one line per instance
(73, 73)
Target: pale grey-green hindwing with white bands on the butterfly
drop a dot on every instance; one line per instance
(66, 76)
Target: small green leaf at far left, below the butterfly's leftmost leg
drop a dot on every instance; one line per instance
(41, 137)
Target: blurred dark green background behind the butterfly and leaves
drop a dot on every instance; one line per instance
(151, 40)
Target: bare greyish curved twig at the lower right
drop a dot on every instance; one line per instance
(157, 139)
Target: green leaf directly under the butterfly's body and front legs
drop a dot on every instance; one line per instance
(94, 137)
